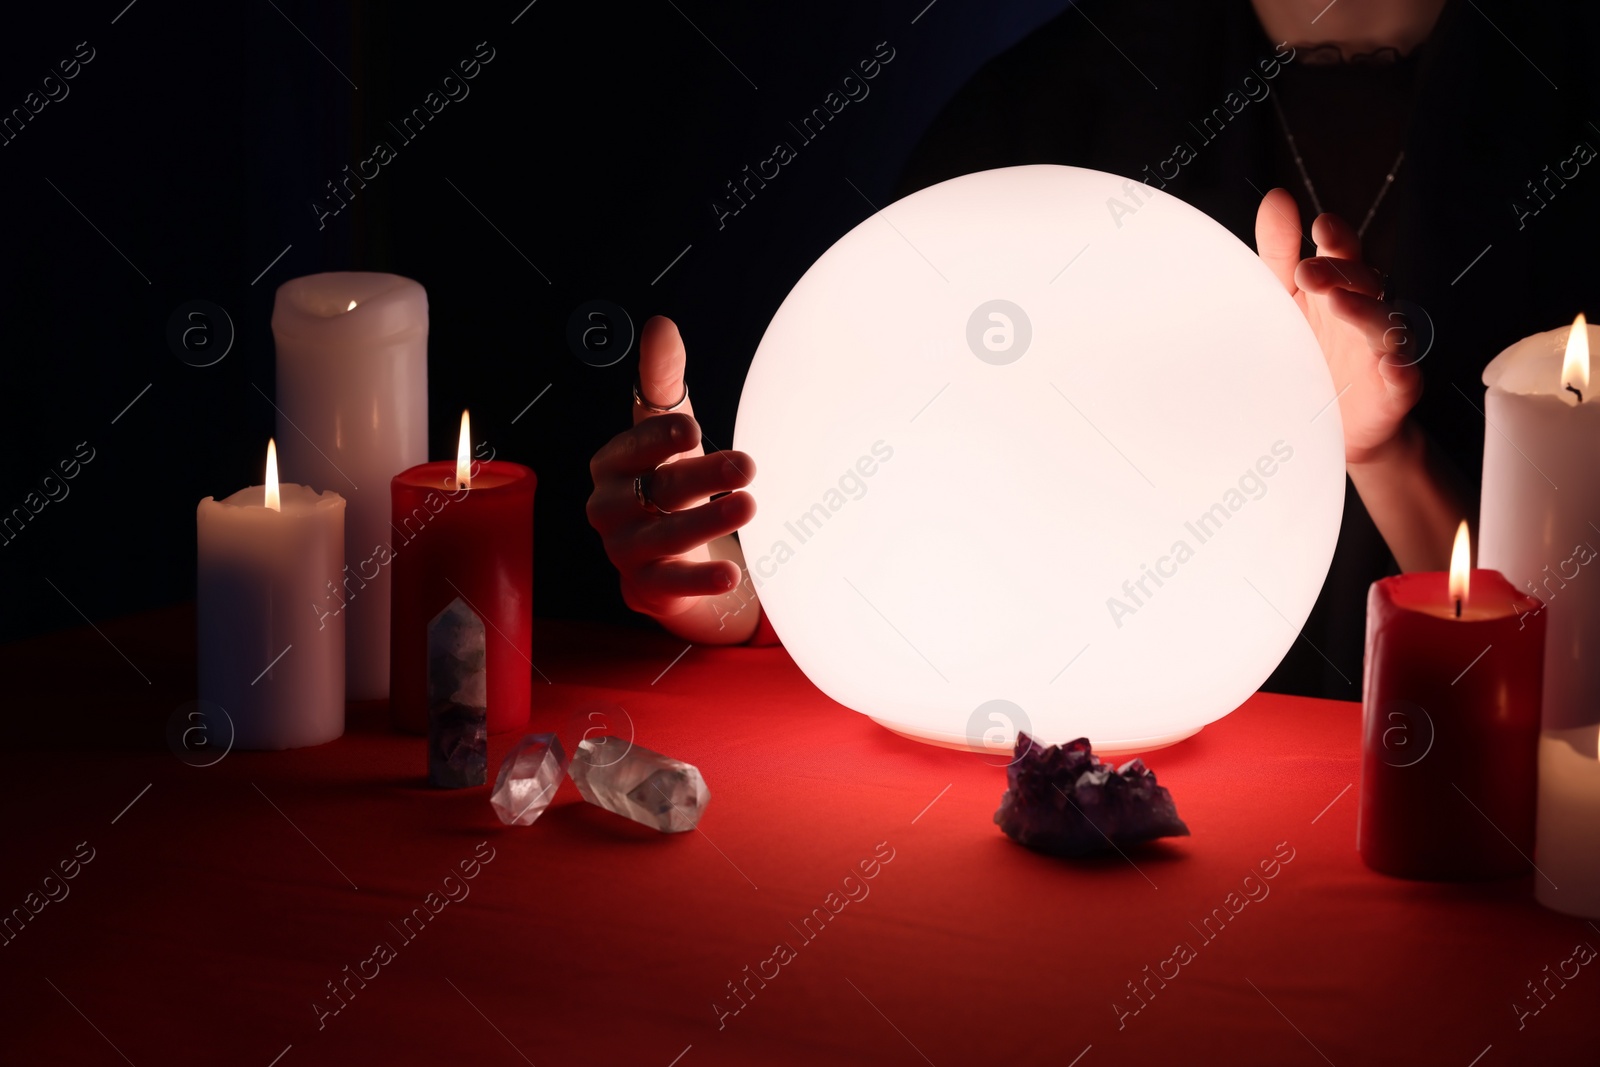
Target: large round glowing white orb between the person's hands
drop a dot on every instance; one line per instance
(1041, 449)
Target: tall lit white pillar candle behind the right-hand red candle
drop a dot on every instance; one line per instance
(1540, 521)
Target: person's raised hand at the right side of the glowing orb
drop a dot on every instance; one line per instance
(1367, 343)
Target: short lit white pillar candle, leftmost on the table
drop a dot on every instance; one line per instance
(274, 668)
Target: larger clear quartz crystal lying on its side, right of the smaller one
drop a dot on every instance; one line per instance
(644, 786)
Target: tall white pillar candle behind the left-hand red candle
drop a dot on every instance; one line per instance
(353, 414)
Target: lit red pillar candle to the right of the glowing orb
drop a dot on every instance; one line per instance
(1450, 727)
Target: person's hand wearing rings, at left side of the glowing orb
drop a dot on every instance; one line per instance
(666, 561)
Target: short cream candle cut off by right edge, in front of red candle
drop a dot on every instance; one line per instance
(1569, 825)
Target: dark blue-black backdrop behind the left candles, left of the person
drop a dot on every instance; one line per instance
(190, 151)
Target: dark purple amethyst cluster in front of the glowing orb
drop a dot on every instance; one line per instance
(1068, 802)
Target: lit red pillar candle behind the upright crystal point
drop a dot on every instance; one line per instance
(463, 530)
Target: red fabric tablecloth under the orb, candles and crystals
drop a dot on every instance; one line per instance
(222, 903)
